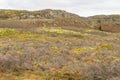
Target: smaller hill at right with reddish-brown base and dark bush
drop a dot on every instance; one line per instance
(110, 23)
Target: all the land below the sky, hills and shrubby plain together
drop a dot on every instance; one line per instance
(57, 45)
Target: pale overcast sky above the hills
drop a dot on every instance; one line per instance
(80, 7)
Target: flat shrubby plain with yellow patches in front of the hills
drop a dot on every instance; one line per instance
(54, 53)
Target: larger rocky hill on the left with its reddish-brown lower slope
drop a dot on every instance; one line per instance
(47, 17)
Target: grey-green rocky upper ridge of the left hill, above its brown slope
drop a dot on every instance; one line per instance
(42, 14)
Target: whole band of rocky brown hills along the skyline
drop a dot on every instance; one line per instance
(61, 18)
